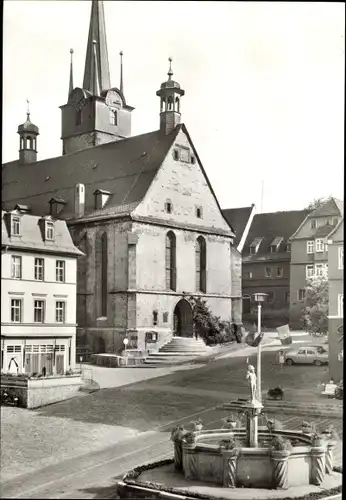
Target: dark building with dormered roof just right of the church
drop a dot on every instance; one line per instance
(266, 265)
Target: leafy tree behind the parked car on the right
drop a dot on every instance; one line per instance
(315, 312)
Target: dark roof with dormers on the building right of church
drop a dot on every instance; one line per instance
(269, 226)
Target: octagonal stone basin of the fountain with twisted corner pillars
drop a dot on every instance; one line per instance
(204, 460)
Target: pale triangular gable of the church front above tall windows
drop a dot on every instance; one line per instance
(180, 191)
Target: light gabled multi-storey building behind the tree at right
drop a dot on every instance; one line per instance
(309, 253)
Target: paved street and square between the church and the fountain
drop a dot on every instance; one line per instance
(120, 428)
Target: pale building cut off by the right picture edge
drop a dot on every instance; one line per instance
(335, 242)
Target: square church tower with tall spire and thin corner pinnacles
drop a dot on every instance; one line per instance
(95, 114)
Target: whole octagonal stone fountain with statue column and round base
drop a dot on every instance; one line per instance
(217, 462)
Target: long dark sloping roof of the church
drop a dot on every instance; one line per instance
(125, 168)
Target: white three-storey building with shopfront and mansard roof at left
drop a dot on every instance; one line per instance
(38, 294)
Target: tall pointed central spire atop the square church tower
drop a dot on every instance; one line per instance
(97, 32)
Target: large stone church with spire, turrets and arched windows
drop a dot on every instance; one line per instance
(140, 208)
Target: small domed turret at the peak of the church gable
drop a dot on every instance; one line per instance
(170, 94)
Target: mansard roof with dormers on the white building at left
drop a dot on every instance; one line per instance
(31, 235)
